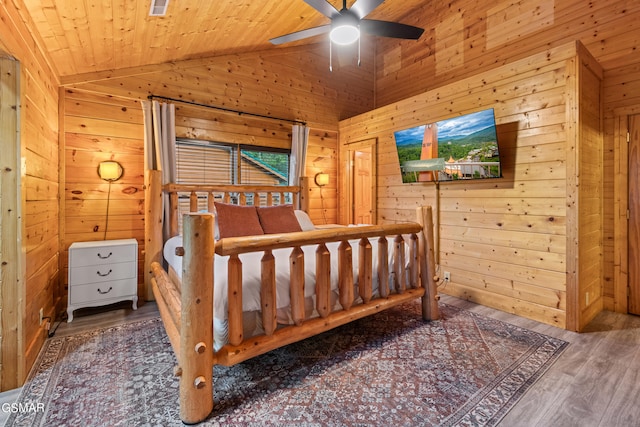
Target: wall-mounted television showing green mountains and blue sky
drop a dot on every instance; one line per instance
(456, 149)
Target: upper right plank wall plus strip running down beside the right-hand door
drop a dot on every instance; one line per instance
(464, 37)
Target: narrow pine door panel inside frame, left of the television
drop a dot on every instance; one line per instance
(362, 186)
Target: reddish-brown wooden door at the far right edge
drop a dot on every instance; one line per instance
(633, 235)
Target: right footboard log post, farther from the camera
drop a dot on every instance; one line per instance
(428, 275)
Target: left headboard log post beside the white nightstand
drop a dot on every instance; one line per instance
(152, 227)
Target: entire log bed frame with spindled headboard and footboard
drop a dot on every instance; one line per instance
(186, 306)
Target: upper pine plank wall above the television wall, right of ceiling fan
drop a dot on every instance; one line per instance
(464, 37)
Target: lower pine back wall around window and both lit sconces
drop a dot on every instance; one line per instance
(98, 127)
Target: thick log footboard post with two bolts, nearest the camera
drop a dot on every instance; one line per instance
(196, 329)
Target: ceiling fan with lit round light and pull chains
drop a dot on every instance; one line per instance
(346, 24)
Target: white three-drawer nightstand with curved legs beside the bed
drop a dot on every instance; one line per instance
(102, 273)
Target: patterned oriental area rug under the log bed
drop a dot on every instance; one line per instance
(391, 368)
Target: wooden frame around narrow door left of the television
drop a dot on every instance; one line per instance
(345, 198)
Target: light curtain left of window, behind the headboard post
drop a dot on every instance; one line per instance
(160, 144)
